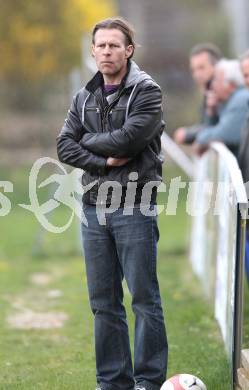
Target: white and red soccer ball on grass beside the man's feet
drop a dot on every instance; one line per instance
(183, 382)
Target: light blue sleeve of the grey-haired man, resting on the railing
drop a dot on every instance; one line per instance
(228, 129)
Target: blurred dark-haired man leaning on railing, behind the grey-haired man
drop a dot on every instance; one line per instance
(203, 58)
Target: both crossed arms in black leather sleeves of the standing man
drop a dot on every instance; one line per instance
(92, 150)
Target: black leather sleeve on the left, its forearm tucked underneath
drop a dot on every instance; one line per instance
(70, 151)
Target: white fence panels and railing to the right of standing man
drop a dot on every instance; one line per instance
(218, 242)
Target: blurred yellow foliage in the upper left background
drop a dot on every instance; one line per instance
(39, 39)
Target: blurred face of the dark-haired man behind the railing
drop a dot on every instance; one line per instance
(202, 69)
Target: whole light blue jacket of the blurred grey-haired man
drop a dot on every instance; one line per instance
(232, 119)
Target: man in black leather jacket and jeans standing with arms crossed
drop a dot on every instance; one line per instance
(113, 131)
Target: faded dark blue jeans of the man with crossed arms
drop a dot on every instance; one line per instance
(125, 247)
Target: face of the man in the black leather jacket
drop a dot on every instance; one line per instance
(111, 52)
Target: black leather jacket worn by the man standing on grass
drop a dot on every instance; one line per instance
(130, 126)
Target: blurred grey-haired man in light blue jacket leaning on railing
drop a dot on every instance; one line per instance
(231, 106)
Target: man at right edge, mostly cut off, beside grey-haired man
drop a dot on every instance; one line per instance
(244, 152)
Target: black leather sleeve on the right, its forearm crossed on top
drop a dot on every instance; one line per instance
(144, 122)
